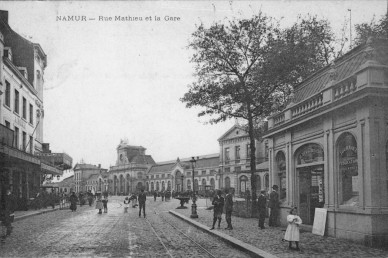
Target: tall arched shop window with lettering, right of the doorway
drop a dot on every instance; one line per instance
(348, 169)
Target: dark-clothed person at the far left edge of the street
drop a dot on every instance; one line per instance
(8, 207)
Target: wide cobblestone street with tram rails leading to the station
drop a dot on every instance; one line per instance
(85, 233)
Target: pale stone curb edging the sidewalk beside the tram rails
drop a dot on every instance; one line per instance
(251, 250)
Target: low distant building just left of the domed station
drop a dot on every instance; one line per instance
(86, 177)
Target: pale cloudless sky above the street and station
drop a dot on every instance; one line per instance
(112, 80)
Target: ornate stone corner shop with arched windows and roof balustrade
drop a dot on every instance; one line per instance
(328, 148)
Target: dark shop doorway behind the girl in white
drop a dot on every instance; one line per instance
(311, 192)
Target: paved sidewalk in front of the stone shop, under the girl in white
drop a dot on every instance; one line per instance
(269, 240)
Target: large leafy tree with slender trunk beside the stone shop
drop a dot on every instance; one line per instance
(246, 68)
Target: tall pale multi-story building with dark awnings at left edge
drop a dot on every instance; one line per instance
(22, 65)
